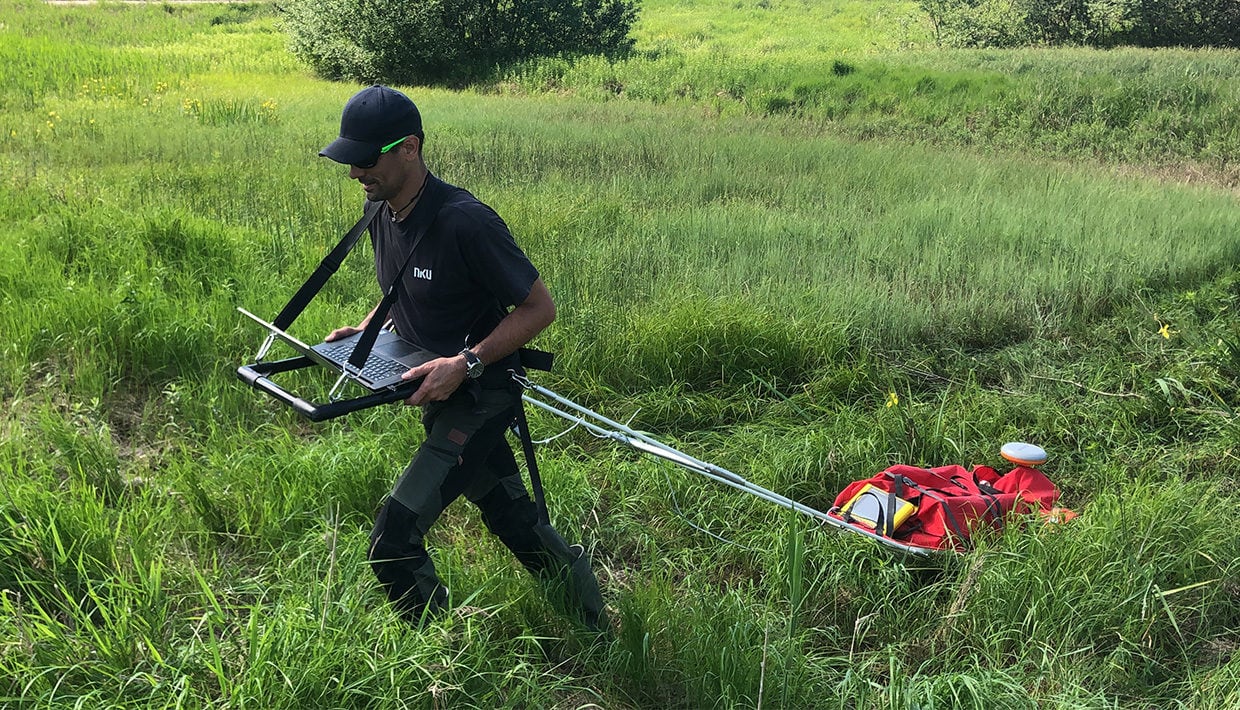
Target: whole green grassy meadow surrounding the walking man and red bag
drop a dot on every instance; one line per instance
(792, 239)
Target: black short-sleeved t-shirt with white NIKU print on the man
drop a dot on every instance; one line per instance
(464, 277)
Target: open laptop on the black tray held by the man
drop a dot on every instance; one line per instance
(391, 357)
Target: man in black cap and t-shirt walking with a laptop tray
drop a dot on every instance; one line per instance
(454, 299)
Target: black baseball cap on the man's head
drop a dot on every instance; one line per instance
(374, 118)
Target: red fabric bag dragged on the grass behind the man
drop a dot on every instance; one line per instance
(952, 502)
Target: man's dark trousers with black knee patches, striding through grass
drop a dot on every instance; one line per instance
(466, 452)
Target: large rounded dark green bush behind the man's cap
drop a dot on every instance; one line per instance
(448, 42)
